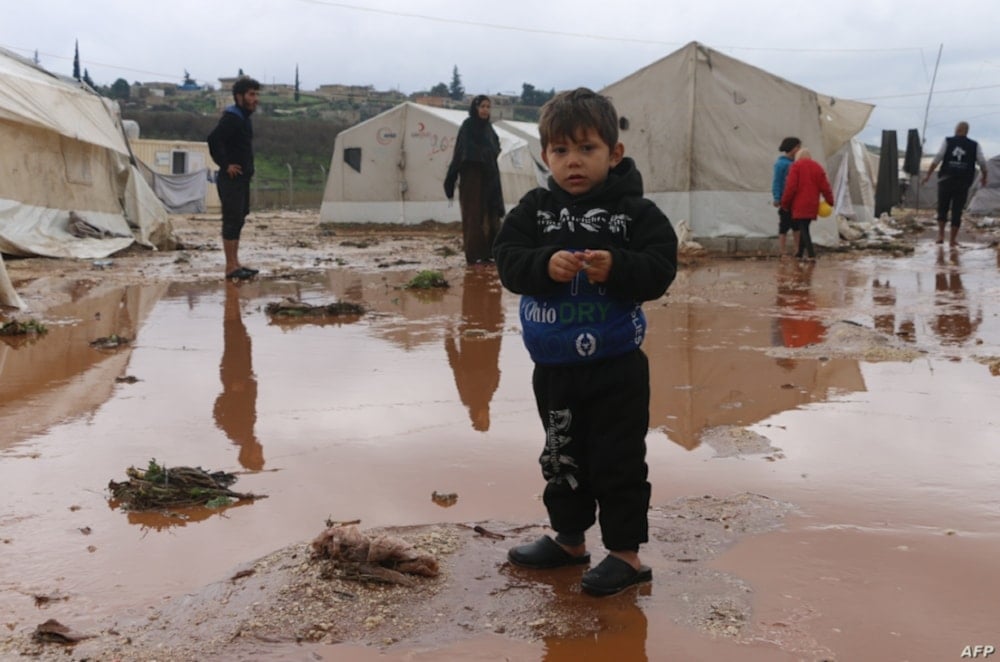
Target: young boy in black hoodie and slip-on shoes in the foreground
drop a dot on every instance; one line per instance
(584, 254)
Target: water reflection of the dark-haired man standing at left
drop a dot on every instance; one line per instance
(236, 407)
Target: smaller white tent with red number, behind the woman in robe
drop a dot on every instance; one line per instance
(391, 168)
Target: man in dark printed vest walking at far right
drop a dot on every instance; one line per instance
(958, 157)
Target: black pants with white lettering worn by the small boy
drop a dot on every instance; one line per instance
(596, 417)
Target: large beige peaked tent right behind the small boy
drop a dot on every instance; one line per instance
(704, 130)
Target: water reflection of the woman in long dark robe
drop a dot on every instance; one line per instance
(474, 349)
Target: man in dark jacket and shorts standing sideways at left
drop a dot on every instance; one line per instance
(231, 146)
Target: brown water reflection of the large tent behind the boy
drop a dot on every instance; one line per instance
(708, 368)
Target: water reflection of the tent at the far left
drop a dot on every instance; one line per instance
(60, 376)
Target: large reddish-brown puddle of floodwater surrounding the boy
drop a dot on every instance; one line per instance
(891, 463)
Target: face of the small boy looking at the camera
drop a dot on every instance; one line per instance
(581, 163)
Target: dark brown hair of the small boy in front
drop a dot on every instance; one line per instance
(568, 113)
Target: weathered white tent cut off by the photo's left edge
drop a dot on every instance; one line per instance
(69, 188)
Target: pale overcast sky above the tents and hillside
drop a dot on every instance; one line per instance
(879, 51)
